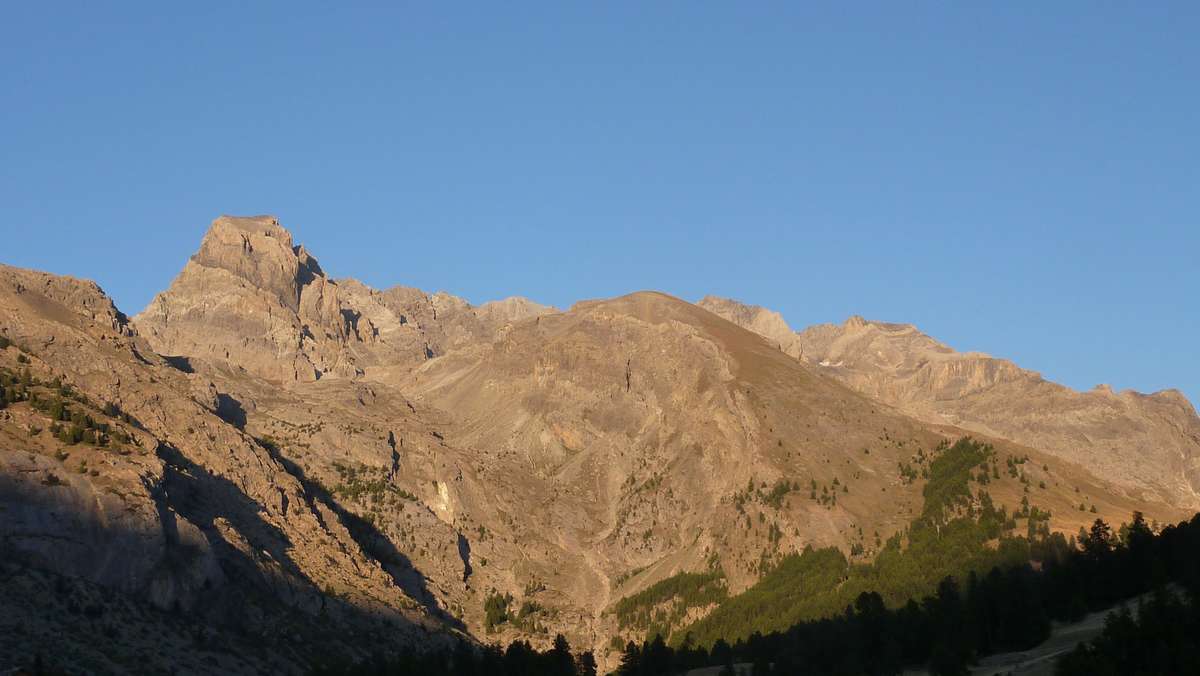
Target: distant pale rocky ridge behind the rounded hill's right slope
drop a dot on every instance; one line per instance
(1148, 444)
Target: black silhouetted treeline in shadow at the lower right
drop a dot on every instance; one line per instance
(1009, 609)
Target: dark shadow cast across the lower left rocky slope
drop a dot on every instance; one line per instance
(238, 589)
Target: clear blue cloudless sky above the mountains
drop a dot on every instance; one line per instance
(1019, 178)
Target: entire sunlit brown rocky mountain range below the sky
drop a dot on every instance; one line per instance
(322, 468)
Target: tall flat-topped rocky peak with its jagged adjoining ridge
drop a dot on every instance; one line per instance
(251, 300)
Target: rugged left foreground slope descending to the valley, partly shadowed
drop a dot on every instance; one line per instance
(118, 471)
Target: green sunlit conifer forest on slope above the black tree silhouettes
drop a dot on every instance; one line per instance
(950, 539)
